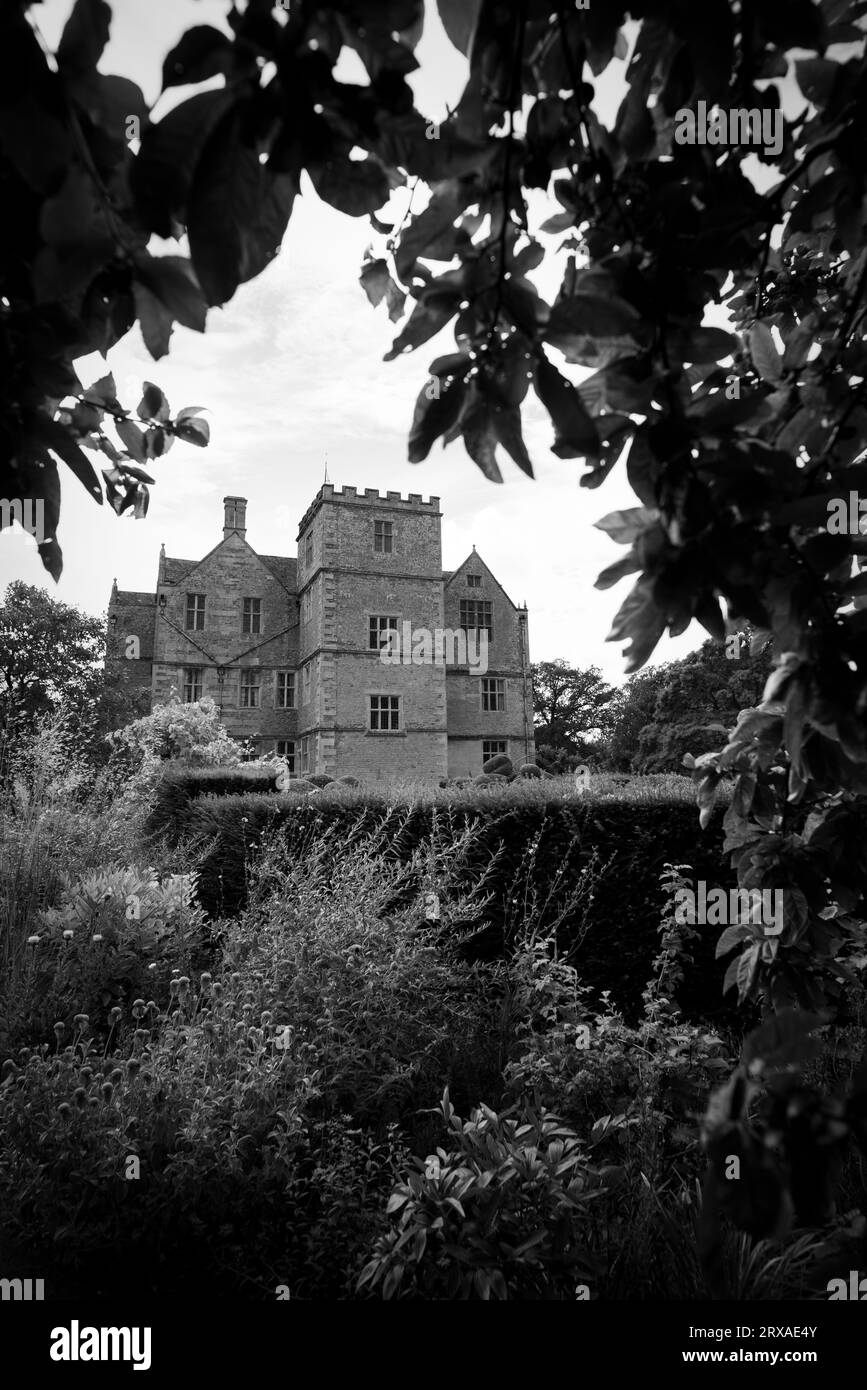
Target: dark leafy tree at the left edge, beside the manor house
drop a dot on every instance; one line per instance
(51, 660)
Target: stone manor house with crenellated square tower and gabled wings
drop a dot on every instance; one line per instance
(291, 650)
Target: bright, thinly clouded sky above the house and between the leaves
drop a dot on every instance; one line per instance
(292, 377)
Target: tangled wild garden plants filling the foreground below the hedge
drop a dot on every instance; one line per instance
(329, 1095)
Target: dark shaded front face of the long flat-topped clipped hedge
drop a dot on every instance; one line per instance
(636, 839)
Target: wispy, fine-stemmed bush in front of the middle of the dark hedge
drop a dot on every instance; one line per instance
(384, 1003)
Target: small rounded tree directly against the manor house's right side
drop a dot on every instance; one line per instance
(570, 711)
